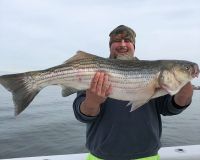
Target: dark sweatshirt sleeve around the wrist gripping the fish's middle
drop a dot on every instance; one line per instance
(76, 107)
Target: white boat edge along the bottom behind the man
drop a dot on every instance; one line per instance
(190, 152)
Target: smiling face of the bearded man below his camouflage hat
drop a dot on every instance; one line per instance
(121, 46)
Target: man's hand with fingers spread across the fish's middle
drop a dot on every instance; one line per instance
(99, 90)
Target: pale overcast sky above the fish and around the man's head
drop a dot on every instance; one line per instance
(37, 34)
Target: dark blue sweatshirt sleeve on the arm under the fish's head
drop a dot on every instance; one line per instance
(167, 106)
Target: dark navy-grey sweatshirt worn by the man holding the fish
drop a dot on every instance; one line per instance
(118, 134)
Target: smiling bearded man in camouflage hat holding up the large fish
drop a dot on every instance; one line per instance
(114, 133)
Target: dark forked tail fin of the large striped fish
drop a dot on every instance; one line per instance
(22, 88)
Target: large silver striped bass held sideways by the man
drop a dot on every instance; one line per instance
(135, 81)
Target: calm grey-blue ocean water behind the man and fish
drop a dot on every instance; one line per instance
(48, 126)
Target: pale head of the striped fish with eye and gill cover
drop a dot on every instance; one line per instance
(175, 74)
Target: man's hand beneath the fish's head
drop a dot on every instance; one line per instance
(184, 96)
